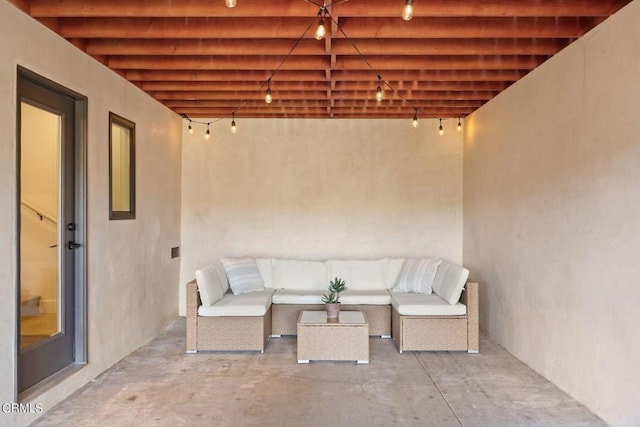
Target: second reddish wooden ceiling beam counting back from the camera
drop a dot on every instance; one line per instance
(355, 28)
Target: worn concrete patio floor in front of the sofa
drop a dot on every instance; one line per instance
(160, 385)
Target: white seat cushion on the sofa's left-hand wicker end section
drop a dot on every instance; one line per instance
(249, 304)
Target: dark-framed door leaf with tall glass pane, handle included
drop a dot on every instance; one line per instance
(46, 232)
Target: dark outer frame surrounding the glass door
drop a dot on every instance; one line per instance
(79, 254)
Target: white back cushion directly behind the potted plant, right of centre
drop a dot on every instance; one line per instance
(359, 274)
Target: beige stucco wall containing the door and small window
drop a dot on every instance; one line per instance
(132, 282)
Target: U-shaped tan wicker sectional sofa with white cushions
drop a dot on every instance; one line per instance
(218, 319)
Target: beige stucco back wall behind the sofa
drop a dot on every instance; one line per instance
(321, 189)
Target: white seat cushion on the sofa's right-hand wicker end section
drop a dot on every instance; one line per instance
(410, 304)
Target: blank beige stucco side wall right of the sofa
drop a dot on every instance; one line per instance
(552, 217)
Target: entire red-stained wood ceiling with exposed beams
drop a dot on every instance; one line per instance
(203, 59)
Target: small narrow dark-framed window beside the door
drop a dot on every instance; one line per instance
(122, 168)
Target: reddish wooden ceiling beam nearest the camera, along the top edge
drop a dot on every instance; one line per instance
(261, 8)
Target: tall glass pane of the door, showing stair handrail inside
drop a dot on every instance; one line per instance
(40, 244)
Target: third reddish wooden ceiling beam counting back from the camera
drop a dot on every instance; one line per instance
(313, 47)
